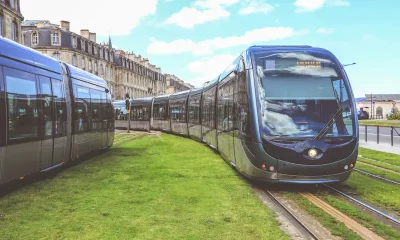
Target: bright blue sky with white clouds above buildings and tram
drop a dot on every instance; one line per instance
(197, 39)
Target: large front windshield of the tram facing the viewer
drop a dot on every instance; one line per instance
(302, 96)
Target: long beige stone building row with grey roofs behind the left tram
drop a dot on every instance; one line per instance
(124, 71)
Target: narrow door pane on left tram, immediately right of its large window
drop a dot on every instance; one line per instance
(47, 105)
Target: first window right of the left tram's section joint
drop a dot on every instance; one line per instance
(82, 108)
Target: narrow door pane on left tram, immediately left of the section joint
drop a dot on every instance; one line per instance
(60, 116)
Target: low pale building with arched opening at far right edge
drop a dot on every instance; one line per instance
(380, 106)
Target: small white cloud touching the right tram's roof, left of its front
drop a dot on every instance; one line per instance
(208, 68)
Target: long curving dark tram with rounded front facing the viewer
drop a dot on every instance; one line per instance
(276, 114)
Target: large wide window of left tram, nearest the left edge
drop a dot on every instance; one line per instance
(23, 105)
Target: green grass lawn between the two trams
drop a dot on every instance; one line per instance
(154, 187)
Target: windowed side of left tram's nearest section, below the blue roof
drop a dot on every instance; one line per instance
(31, 111)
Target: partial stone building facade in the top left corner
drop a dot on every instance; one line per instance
(11, 20)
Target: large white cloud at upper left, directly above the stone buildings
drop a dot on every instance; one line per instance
(105, 16)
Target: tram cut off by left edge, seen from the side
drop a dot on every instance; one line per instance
(51, 113)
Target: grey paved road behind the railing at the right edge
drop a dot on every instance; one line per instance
(384, 135)
